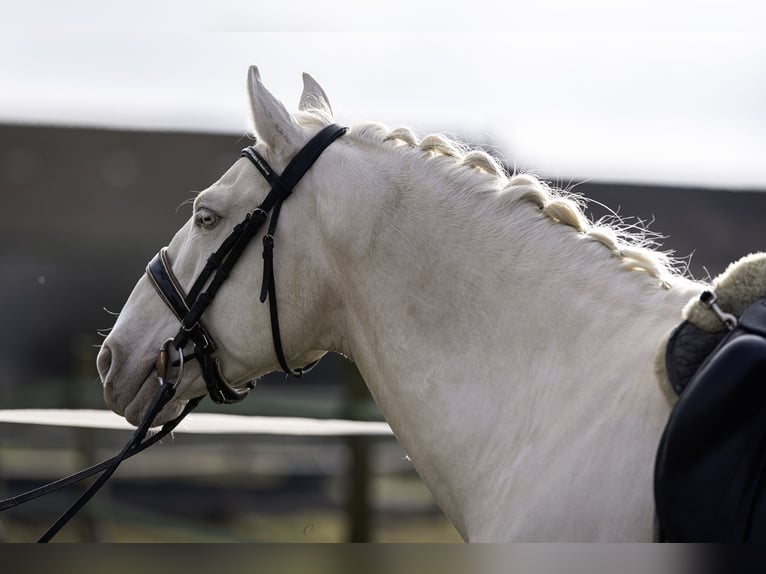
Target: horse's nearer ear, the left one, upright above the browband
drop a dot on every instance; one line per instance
(274, 124)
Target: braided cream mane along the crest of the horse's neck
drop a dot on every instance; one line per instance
(632, 244)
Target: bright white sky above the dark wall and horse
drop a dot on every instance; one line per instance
(652, 91)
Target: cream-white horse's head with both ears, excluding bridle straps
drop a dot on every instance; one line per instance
(236, 319)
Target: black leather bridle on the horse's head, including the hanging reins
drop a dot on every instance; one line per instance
(189, 308)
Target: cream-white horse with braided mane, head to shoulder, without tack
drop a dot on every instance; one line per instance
(507, 340)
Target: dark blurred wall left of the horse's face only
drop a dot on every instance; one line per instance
(84, 210)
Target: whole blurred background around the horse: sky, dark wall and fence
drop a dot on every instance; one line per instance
(654, 109)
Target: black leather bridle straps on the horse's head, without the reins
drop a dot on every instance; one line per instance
(189, 307)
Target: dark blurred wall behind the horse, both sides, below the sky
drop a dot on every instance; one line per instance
(84, 210)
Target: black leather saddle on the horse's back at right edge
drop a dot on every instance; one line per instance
(710, 471)
